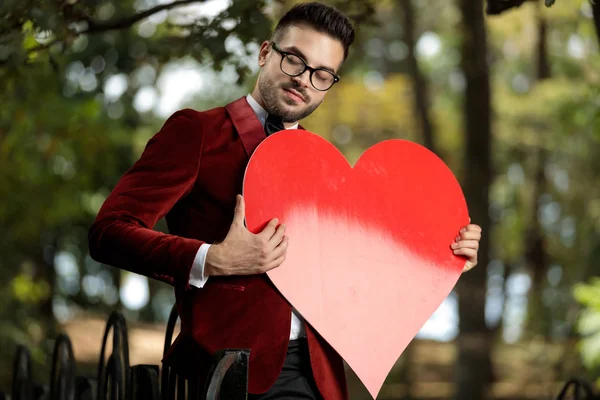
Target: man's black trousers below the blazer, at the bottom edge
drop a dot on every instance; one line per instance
(296, 380)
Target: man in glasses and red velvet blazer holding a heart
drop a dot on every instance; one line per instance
(192, 171)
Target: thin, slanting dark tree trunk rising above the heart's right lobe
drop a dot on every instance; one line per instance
(421, 98)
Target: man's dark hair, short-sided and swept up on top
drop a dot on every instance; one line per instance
(322, 18)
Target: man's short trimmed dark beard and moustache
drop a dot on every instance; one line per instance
(268, 91)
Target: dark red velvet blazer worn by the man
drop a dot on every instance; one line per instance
(190, 173)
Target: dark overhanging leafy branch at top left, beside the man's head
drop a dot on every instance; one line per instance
(44, 31)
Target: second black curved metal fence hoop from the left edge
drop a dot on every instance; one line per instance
(62, 375)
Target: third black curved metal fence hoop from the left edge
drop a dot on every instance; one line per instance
(120, 354)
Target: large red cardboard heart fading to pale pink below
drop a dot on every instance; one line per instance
(369, 258)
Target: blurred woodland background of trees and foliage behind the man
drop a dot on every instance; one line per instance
(506, 92)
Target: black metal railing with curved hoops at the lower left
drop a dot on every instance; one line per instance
(117, 380)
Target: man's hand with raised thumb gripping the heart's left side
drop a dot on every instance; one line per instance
(245, 253)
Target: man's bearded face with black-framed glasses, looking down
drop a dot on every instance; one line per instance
(294, 98)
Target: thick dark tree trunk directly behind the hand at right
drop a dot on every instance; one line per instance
(474, 371)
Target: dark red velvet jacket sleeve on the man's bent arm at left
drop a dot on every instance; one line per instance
(122, 234)
